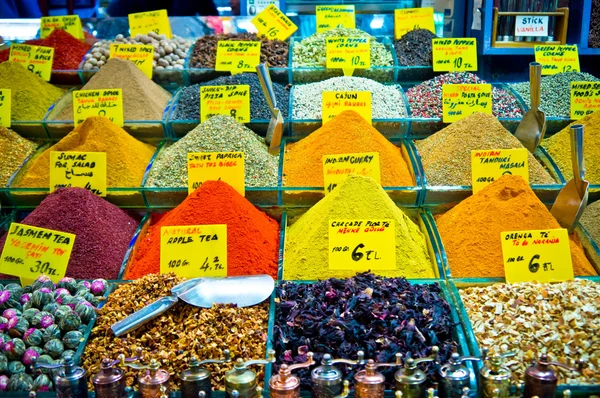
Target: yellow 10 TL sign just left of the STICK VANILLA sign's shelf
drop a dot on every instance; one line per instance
(454, 55)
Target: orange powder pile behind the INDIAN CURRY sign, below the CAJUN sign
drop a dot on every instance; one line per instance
(347, 133)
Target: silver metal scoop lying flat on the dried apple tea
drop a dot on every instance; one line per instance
(242, 291)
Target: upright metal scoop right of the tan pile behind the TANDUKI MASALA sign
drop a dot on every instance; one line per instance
(532, 128)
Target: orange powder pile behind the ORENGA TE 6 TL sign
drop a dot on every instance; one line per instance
(471, 230)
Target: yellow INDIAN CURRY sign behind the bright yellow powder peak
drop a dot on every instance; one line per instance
(337, 167)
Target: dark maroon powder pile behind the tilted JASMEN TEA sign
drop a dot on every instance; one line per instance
(103, 231)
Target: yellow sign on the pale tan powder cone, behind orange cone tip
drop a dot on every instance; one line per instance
(107, 103)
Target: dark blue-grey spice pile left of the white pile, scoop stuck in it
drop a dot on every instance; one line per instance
(188, 106)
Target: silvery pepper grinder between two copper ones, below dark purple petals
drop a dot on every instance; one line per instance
(327, 379)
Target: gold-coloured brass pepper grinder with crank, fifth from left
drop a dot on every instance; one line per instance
(241, 381)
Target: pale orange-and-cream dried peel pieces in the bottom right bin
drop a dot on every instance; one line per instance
(559, 319)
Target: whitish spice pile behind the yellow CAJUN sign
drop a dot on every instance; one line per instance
(387, 100)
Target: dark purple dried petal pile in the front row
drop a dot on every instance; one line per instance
(379, 316)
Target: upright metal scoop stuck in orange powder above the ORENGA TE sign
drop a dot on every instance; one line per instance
(572, 199)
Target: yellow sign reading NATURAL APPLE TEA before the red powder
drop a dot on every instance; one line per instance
(194, 250)
